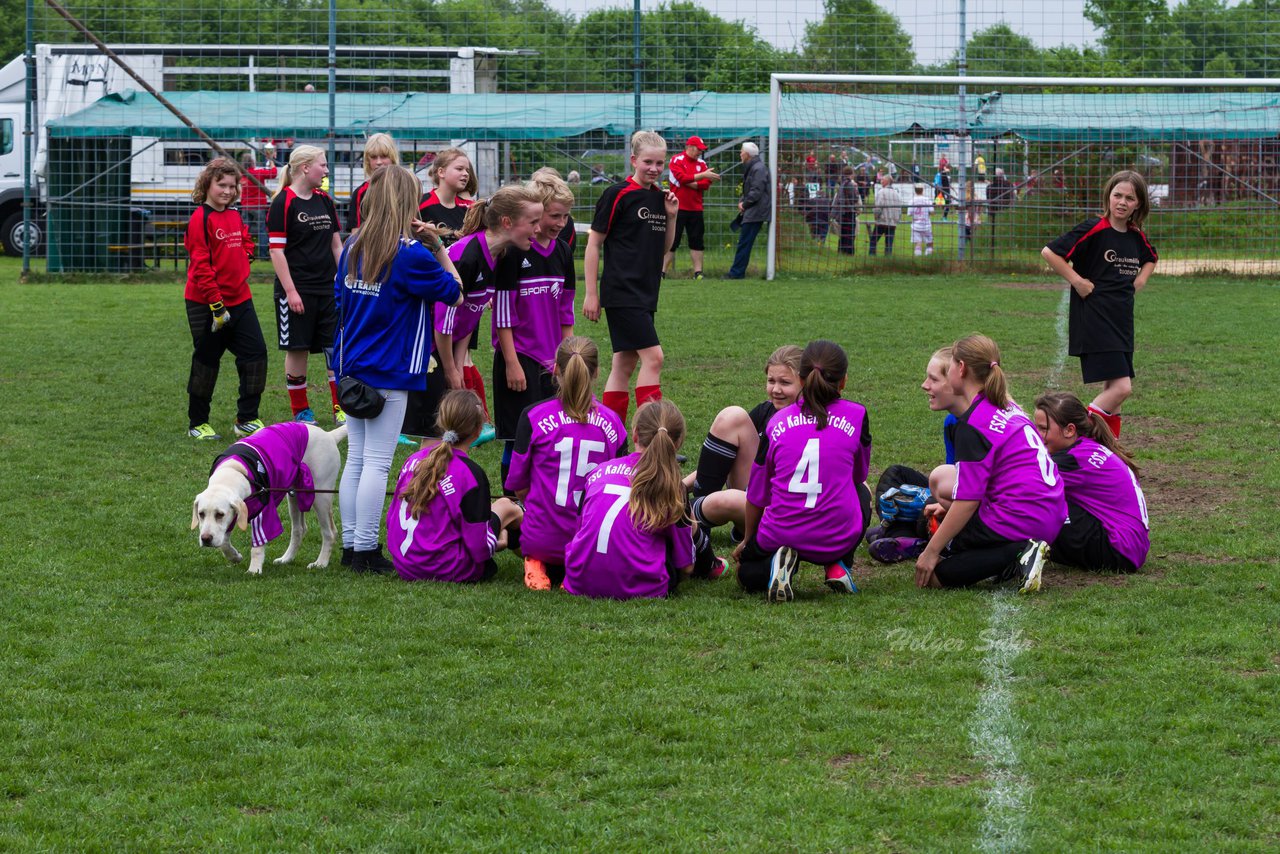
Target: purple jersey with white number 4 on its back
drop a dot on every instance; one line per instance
(807, 482)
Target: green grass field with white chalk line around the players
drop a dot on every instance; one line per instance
(156, 697)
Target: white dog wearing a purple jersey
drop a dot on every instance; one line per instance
(250, 479)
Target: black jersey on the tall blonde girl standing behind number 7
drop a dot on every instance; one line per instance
(634, 223)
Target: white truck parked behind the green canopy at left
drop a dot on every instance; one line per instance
(72, 77)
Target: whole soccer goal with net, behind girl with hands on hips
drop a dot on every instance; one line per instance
(986, 171)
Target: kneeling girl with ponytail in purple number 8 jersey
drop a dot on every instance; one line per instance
(1002, 503)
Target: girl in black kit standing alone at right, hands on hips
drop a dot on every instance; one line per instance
(1107, 261)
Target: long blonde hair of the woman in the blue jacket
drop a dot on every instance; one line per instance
(390, 209)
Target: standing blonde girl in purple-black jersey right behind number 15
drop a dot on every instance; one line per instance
(533, 313)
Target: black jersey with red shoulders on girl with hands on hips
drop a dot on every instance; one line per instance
(1112, 261)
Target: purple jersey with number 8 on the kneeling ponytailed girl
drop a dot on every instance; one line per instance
(1003, 463)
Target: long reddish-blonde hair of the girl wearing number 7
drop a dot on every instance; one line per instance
(657, 490)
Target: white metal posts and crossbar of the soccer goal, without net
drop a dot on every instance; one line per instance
(961, 83)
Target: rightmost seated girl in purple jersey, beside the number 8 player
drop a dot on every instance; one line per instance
(1108, 524)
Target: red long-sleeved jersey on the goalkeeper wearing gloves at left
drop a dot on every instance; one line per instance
(220, 246)
